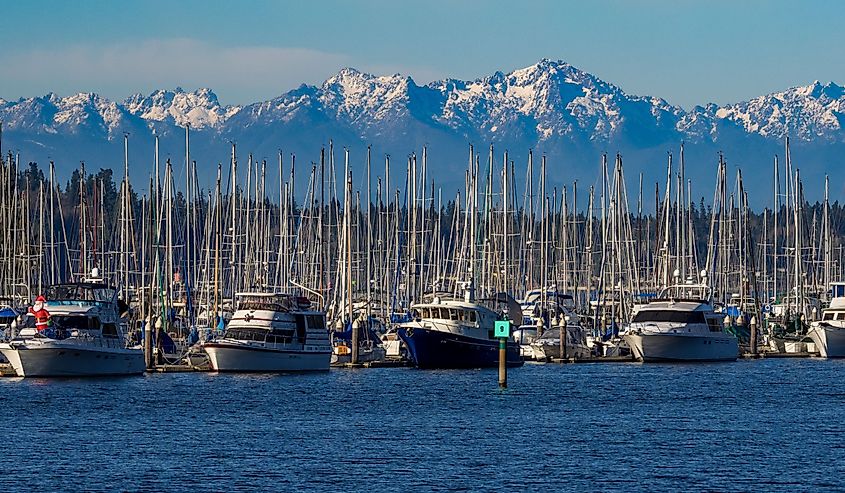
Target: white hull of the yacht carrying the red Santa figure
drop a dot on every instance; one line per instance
(73, 361)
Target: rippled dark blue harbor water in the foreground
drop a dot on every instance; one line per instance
(769, 425)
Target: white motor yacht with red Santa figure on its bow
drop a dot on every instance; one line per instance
(86, 337)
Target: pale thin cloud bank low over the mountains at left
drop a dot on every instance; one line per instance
(237, 74)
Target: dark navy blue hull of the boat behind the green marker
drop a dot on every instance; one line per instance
(433, 349)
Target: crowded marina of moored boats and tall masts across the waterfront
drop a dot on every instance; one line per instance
(251, 276)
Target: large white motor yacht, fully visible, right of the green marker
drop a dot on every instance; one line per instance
(680, 325)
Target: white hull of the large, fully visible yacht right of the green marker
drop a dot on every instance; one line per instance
(683, 347)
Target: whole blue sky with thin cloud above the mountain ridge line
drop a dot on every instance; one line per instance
(687, 52)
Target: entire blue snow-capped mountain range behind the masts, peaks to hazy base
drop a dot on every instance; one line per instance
(551, 106)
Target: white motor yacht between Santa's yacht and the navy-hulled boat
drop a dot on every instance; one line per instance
(271, 332)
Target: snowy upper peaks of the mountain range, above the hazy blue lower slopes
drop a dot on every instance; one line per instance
(547, 100)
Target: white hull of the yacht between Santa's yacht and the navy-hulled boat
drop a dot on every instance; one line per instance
(231, 358)
